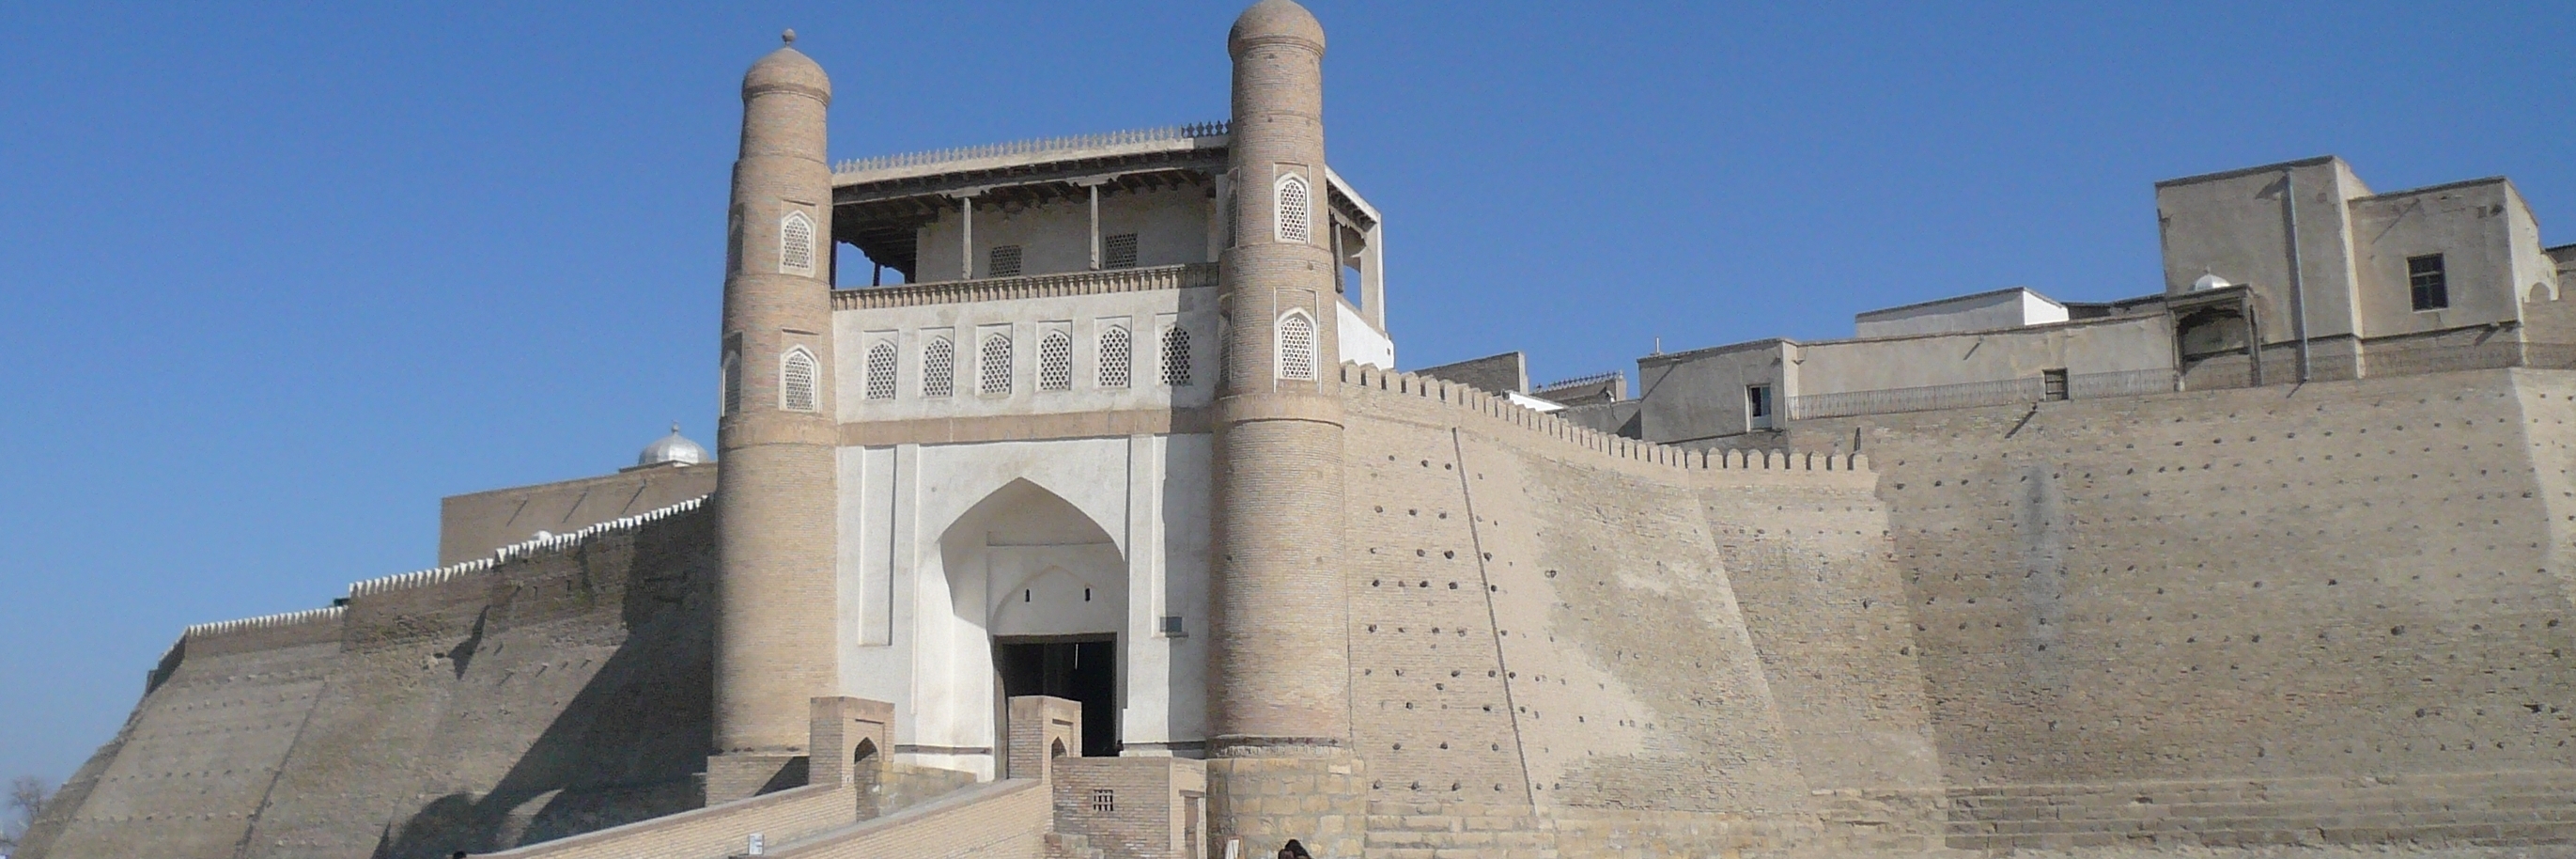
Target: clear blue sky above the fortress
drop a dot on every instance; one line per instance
(272, 282)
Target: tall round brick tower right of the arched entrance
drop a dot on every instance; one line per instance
(1282, 620)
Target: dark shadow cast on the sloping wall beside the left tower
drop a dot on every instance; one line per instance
(627, 747)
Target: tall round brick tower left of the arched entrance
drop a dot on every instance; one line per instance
(774, 489)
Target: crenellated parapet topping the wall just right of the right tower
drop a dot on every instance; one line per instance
(1361, 380)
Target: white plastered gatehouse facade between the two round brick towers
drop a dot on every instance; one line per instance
(944, 548)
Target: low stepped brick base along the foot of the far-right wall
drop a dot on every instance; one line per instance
(2500, 809)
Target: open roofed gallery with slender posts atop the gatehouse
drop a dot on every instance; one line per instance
(1068, 205)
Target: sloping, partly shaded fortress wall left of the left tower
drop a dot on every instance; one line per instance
(555, 690)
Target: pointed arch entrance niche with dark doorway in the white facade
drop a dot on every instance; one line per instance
(1042, 592)
